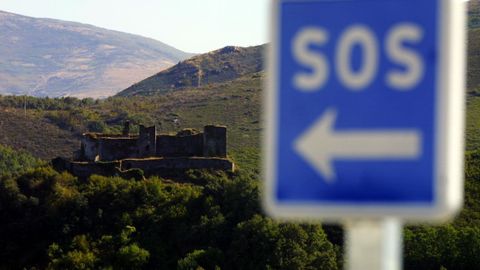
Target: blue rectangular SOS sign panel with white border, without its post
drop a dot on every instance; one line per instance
(364, 108)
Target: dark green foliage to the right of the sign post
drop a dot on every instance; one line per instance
(455, 245)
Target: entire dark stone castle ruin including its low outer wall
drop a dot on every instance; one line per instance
(152, 153)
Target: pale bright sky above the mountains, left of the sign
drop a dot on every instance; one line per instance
(190, 25)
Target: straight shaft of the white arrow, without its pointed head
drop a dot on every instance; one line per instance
(371, 145)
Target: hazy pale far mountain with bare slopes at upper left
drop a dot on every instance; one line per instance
(46, 57)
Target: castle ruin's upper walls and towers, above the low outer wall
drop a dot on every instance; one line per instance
(212, 142)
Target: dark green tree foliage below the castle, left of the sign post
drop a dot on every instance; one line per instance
(52, 220)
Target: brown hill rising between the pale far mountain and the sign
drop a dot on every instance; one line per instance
(222, 65)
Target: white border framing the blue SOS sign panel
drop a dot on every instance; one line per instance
(449, 126)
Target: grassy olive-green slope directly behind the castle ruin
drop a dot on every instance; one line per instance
(235, 104)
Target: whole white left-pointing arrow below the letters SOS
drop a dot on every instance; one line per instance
(321, 144)
